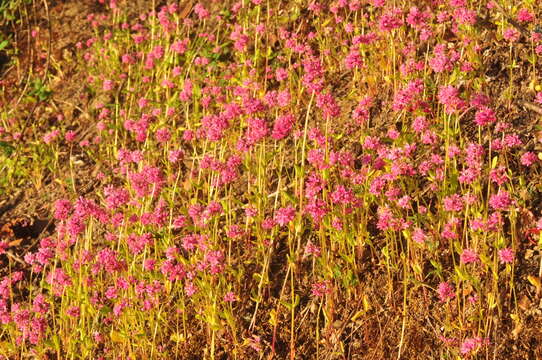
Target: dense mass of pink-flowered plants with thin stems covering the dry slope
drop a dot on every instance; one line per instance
(289, 179)
